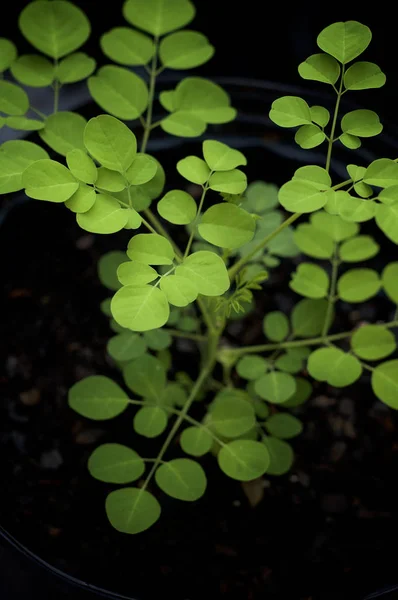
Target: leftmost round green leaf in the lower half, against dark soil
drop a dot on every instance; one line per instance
(97, 397)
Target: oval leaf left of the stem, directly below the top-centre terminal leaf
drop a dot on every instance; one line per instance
(127, 46)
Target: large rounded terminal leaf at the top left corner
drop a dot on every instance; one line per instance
(55, 28)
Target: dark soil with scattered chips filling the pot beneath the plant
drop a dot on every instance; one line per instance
(327, 530)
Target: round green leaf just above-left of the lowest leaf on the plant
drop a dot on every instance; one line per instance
(114, 463)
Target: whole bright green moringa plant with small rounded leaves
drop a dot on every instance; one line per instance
(194, 266)
